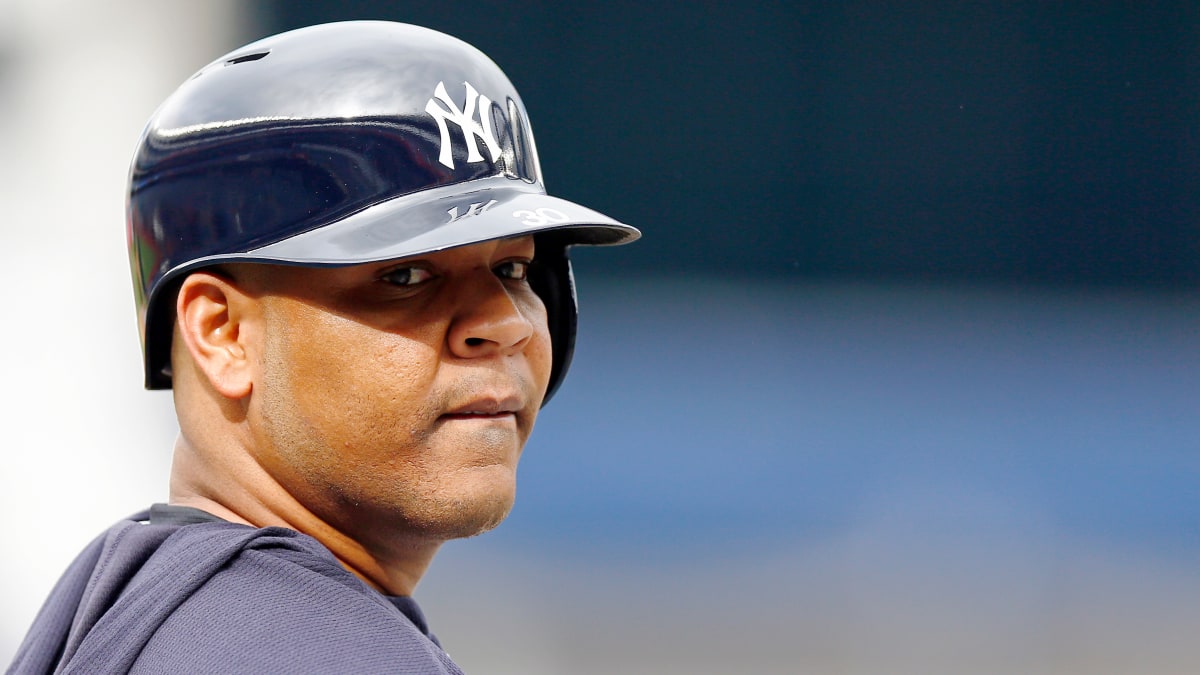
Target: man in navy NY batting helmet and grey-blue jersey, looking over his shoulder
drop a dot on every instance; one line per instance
(350, 273)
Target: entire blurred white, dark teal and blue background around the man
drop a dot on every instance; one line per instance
(903, 378)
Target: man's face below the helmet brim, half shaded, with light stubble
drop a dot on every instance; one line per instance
(395, 398)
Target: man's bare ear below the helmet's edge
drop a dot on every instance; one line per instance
(212, 313)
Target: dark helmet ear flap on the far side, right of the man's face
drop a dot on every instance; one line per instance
(551, 279)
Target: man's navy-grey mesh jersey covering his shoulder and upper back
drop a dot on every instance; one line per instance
(220, 598)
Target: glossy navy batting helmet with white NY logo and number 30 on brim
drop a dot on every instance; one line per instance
(344, 145)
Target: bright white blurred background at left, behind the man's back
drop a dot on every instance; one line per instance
(79, 81)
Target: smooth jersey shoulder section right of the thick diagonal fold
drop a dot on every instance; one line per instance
(284, 604)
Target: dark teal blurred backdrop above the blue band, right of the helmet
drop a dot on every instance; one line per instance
(998, 142)
